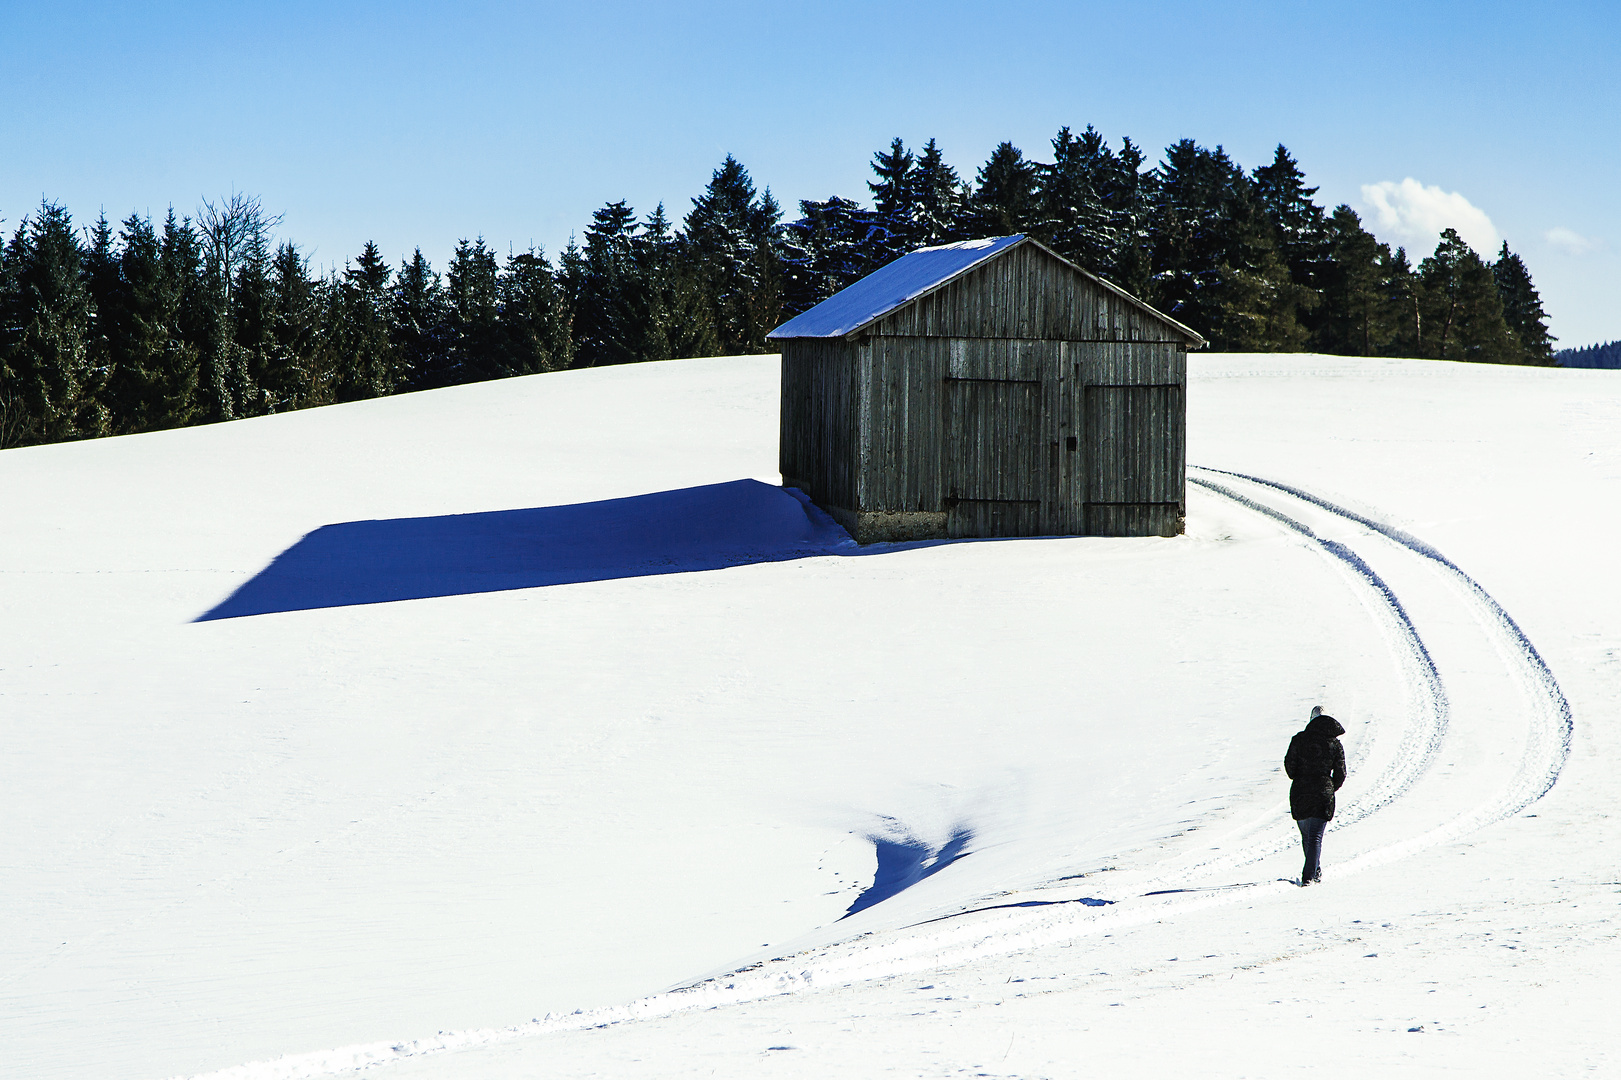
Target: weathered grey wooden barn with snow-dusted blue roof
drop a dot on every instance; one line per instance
(988, 388)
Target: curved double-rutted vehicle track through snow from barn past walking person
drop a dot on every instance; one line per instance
(1476, 692)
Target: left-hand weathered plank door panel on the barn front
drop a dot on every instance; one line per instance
(994, 471)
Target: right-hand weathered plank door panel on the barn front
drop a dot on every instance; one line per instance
(1134, 461)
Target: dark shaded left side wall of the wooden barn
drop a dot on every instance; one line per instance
(819, 448)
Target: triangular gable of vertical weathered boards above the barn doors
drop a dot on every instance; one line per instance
(1025, 294)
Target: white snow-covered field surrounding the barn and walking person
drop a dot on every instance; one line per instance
(528, 731)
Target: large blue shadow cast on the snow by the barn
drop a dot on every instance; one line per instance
(665, 533)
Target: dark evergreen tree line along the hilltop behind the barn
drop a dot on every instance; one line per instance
(202, 319)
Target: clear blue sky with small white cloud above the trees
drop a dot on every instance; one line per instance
(421, 124)
